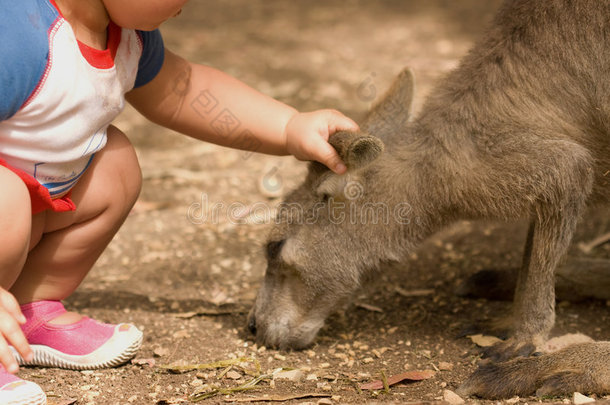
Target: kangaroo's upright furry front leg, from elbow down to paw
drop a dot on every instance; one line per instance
(562, 184)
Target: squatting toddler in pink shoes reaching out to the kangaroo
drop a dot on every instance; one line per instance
(68, 178)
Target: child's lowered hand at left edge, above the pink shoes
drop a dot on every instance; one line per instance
(10, 332)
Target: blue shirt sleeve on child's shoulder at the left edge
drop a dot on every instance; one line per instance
(24, 51)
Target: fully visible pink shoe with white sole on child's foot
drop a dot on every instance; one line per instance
(85, 344)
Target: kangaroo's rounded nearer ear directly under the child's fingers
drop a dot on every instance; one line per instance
(356, 149)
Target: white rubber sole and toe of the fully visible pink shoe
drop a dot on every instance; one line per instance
(121, 347)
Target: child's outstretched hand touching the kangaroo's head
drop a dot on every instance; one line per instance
(307, 136)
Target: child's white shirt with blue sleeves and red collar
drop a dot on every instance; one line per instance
(57, 95)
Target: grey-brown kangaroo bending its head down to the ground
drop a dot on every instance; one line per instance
(520, 129)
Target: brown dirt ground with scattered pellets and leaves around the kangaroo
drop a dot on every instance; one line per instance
(187, 278)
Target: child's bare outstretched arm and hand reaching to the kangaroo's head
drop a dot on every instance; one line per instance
(210, 105)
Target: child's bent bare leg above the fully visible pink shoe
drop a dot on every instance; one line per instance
(71, 242)
